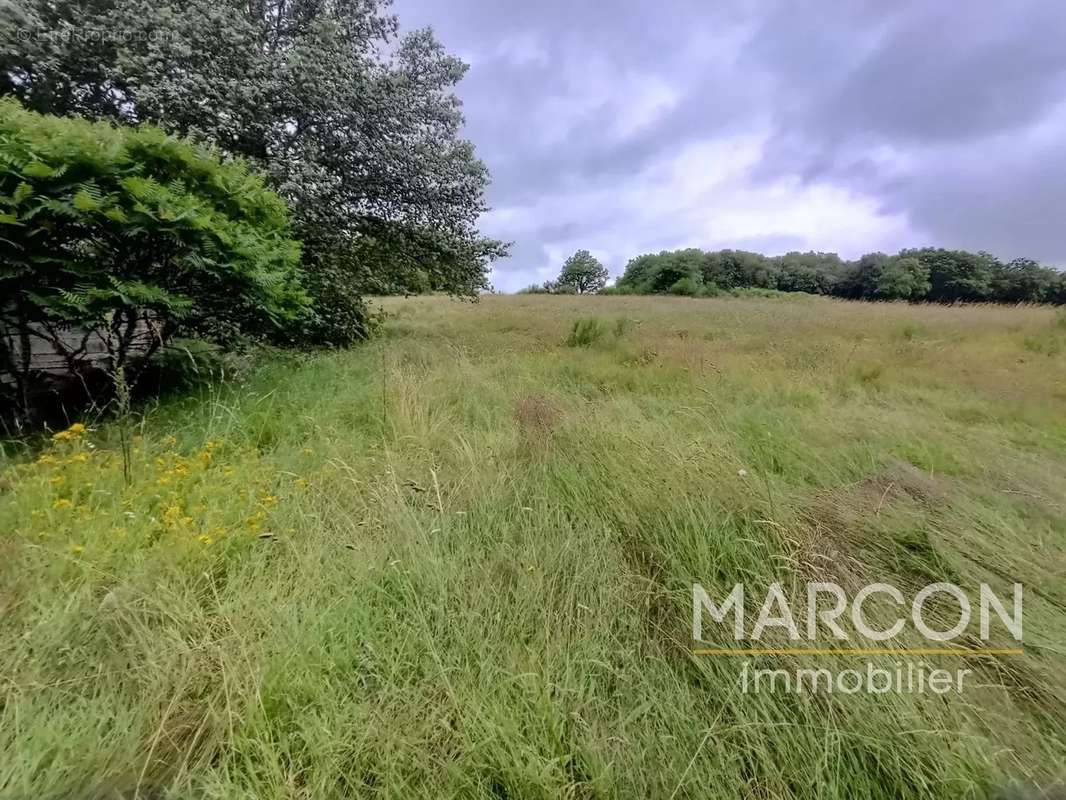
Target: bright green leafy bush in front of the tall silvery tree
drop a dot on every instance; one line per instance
(134, 235)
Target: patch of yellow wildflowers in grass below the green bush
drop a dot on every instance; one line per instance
(94, 503)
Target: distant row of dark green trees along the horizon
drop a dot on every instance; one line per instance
(932, 275)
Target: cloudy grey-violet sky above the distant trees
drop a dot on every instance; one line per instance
(632, 126)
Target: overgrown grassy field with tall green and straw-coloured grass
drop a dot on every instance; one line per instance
(459, 562)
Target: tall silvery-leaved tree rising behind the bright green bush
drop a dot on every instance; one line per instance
(357, 127)
